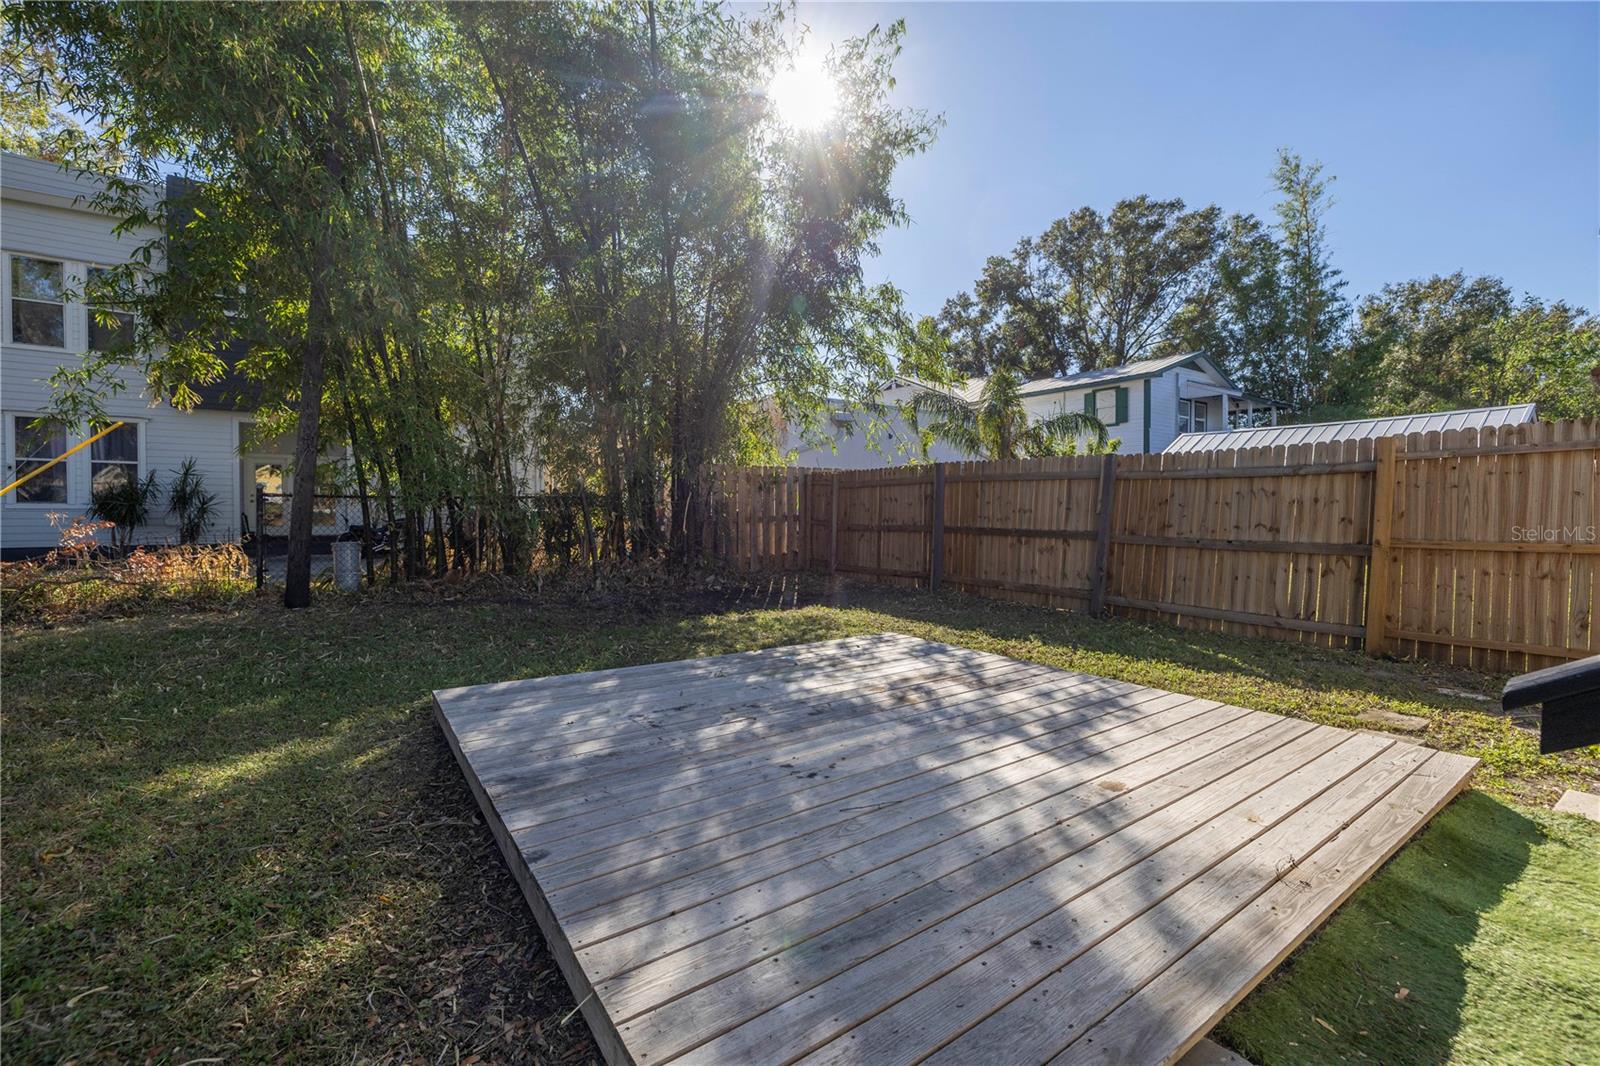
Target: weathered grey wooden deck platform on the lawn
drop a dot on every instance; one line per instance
(886, 851)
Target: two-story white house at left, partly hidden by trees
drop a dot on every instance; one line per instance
(50, 244)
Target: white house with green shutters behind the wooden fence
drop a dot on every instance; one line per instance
(1145, 406)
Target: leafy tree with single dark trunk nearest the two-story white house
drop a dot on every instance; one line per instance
(257, 102)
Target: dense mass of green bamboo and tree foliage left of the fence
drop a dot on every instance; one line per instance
(478, 241)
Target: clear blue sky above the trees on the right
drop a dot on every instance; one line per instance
(1463, 137)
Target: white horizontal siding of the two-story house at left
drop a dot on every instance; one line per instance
(38, 220)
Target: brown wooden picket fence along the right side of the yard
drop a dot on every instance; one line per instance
(1476, 548)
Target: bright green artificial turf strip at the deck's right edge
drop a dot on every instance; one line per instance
(1490, 921)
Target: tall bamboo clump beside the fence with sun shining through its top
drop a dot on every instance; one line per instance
(702, 250)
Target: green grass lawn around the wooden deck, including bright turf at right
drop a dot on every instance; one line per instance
(239, 835)
